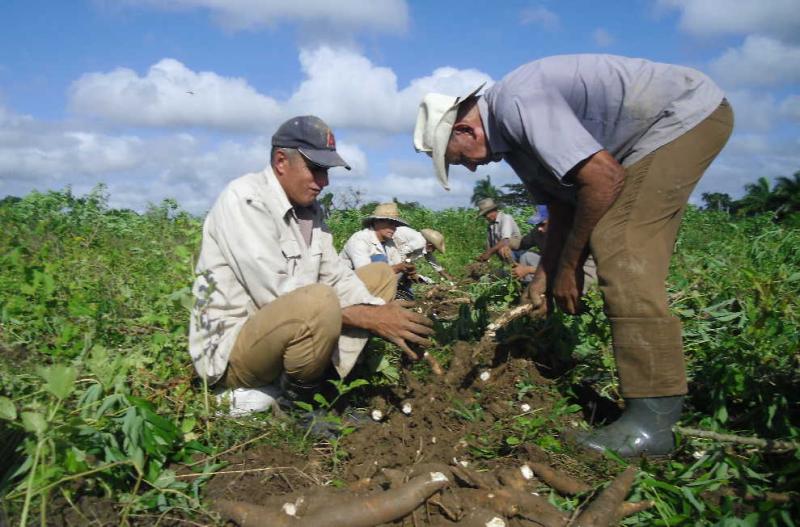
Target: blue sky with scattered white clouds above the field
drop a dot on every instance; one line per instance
(174, 98)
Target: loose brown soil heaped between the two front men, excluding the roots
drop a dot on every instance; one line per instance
(456, 420)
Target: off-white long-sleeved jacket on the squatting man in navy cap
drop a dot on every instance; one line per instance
(252, 253)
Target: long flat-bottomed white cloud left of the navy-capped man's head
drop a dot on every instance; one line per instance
(172, 95)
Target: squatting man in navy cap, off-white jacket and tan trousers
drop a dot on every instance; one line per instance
(275, 305)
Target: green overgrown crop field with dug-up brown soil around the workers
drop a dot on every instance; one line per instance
(103, 423)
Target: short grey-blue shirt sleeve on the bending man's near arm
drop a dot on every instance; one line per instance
(540, 121)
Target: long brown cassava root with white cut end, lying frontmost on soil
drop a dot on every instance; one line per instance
(353, 511)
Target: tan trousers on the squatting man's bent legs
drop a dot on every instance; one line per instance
(297, 332)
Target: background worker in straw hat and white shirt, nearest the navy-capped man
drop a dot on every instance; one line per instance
(375, 243)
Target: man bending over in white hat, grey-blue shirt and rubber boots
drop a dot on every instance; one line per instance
(614, 146)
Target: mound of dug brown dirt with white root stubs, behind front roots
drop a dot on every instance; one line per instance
(456, 425)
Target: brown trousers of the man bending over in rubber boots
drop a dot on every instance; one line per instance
(632, 245)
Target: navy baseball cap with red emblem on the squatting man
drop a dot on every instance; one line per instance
(312, 138)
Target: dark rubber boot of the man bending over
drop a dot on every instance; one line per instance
(645, 428)
